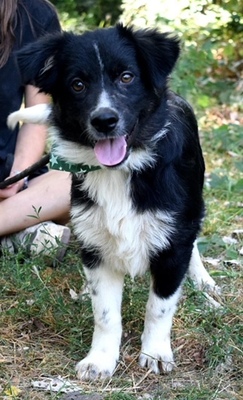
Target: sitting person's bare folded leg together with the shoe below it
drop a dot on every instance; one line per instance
(26, 218)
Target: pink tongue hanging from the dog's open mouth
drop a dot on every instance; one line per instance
(111, 151)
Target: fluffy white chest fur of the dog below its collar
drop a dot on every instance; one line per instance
(124, 237)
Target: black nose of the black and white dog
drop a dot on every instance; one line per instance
(104, 120)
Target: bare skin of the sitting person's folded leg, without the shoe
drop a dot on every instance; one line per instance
(47, 198)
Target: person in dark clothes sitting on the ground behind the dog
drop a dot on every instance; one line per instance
(33, 211)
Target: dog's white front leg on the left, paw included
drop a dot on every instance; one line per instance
(106, 294)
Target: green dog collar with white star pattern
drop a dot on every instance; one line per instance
(61, 165)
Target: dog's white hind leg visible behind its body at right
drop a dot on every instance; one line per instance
(198, 273)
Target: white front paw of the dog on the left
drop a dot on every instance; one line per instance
(96, 366)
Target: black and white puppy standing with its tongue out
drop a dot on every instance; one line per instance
(143, 208)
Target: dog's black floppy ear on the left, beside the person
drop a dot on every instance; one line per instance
(37, 62)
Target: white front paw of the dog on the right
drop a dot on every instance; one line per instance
(156, 362)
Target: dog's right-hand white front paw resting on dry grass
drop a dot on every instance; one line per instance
(157, 359)
